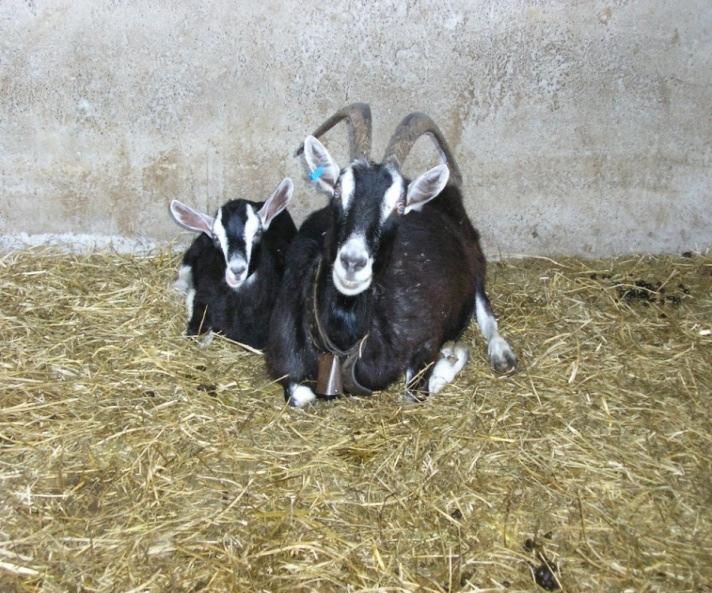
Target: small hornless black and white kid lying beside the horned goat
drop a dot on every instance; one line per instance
(231, 273)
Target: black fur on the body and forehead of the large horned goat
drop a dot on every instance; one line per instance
(427, 265)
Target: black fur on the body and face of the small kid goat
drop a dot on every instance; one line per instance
(241, 314)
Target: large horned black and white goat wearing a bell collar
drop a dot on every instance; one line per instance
(383, 280)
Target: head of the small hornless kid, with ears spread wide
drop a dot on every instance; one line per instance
(237, 230)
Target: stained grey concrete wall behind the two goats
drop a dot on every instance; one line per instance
(581, 126)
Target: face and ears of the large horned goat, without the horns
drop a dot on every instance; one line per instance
(366, 201)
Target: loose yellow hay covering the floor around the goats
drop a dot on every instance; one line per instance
(132, 459)
